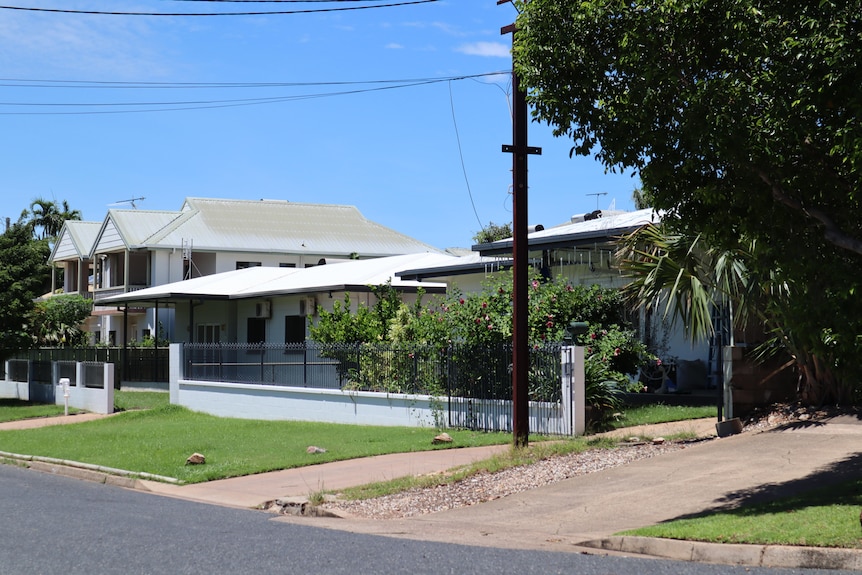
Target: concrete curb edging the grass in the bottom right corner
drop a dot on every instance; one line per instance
(775, 556)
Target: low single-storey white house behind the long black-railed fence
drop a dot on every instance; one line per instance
(274, 304)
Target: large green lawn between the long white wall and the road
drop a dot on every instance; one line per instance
(159, 440)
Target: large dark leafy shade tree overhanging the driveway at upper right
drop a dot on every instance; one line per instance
(741, 119)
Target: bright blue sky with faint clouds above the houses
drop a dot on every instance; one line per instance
(425, 160)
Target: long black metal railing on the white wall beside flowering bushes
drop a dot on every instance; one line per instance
(477, 380)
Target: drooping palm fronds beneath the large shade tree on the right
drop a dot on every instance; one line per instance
(689, 279)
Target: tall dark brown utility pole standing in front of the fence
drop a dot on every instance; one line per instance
(520, 256)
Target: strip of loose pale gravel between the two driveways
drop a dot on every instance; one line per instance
(489, 486)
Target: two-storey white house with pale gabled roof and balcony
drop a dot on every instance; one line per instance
(135, 249)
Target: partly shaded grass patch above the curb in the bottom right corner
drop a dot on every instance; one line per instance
(826, 517)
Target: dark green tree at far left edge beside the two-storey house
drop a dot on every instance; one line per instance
(24, 276)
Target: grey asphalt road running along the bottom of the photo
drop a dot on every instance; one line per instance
(51, 524)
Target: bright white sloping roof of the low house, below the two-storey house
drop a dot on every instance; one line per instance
(271, 281)
